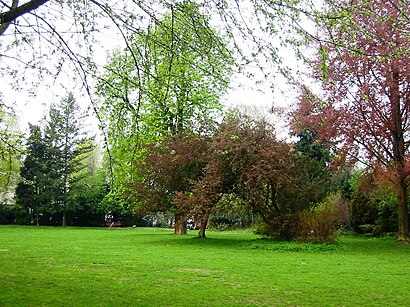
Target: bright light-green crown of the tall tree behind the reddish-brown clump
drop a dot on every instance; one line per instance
(170, 79)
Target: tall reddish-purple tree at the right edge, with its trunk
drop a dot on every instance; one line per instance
(363, 64)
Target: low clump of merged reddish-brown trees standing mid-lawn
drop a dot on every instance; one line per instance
(189, 175)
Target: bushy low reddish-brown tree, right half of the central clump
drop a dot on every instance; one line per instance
(277, 182)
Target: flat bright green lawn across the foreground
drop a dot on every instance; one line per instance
(46, 266)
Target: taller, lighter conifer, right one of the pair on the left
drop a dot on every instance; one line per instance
(68, 147)
